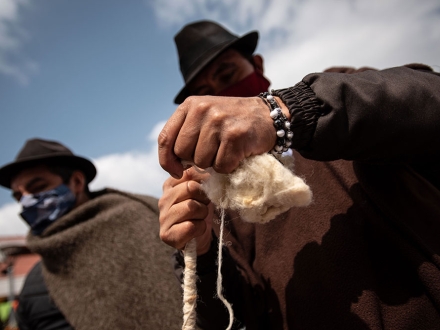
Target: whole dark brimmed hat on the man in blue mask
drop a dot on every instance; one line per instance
(44, 152)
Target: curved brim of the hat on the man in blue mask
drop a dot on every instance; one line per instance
(10, 170)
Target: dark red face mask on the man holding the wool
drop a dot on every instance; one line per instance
(251, 85)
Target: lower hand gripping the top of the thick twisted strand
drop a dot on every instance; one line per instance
(186, 212)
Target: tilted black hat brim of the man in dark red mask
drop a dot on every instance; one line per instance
(246, 44)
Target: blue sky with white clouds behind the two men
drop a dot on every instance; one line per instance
(100, 76)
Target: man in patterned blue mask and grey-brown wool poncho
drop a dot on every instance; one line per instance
(103, 265)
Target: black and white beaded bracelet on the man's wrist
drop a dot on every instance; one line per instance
(282, 125)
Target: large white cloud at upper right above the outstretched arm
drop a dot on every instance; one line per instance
(358, 33)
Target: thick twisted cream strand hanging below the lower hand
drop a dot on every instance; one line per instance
(189, 286)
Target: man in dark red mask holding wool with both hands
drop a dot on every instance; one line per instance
(365, 253)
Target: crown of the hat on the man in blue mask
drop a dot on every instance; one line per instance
(38, 148)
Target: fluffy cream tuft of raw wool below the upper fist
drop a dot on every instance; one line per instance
(259, 189)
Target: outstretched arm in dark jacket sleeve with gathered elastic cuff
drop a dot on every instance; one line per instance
(374, 115)
